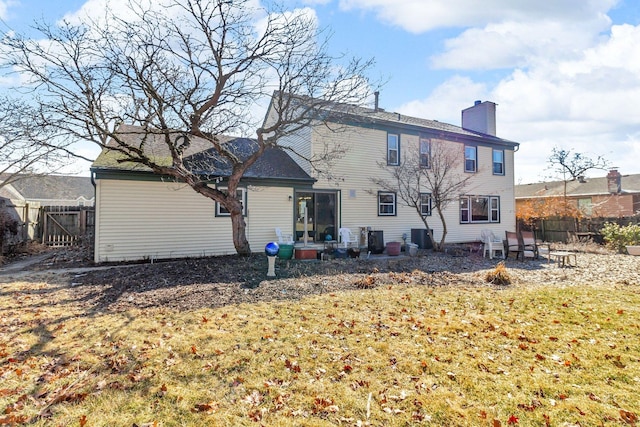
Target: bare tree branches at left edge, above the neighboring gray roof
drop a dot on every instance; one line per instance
(26, 148)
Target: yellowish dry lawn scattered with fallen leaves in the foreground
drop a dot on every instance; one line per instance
(393, 355)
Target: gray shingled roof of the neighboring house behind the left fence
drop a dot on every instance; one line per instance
(53, 187)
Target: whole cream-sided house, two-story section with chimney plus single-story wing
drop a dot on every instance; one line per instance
(141, 215)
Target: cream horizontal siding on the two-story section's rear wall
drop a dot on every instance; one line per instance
(367, 148)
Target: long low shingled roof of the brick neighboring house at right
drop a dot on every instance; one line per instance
(590, 187)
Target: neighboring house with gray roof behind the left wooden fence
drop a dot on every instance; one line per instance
(48, 190)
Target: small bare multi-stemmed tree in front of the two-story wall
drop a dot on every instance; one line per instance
(427, 182)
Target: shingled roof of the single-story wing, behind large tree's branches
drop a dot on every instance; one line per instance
(201, 157)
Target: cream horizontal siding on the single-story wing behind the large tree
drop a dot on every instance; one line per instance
(151, 220)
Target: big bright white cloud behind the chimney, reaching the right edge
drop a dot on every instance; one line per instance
(586, 102)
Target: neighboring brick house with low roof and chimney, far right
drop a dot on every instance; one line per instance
(612, 196)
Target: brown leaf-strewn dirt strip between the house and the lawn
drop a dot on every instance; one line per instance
(219, 281)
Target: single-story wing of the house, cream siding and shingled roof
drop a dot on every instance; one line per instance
(141, 215)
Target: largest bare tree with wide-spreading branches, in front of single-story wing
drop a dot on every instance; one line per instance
(188, 68)
